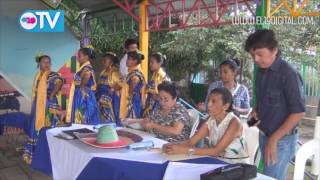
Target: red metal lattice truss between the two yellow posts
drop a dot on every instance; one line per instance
(181, 14)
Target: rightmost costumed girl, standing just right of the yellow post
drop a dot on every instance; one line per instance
(158, 76)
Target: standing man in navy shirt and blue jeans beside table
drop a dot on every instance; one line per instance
(280, 103)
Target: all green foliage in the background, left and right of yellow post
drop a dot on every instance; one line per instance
(201, 49)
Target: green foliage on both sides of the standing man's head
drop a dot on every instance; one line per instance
(191, 50)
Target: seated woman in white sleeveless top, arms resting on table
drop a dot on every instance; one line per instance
(223, 129)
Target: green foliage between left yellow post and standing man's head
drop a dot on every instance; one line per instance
(192, 50)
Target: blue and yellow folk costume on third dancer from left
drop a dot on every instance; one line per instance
(109, 99)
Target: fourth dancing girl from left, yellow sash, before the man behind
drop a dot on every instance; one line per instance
(132, 93)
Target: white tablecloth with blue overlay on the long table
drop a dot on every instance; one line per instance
(70, 157)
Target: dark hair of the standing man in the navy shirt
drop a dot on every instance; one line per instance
(263, 38)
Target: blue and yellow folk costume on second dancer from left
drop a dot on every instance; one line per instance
(82, 106)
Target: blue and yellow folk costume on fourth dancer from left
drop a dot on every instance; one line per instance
(131, 106)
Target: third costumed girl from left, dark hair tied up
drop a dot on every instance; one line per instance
(108, 93)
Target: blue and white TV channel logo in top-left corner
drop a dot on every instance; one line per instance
(42, 21)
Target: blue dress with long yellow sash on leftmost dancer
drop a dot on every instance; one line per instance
(45, 112)
